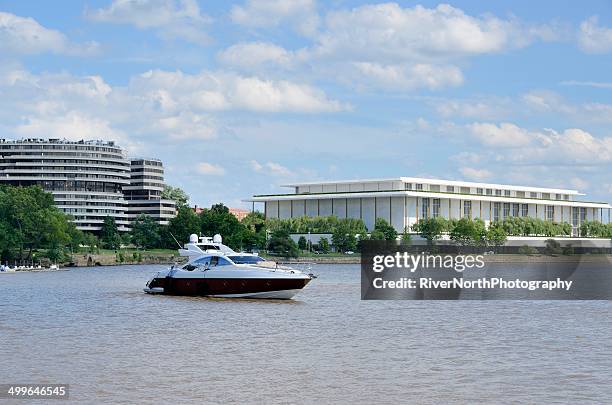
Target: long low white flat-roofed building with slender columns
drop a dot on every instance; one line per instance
(404, 201)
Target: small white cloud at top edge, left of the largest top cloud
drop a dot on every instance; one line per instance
(271, 13)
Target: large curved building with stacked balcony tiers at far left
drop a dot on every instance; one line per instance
(87, 178)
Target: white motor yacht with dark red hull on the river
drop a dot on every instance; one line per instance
(215, 270)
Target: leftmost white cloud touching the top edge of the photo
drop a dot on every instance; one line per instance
(174, 19)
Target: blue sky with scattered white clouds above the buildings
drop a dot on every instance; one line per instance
(240, 98)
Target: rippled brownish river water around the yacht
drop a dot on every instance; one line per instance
(94, 329)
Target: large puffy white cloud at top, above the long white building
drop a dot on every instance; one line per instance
(390, 32)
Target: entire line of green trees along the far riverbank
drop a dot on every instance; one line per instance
(31, 227)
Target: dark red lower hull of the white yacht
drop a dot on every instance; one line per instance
(221, 286)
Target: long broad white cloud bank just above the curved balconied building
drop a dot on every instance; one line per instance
(156, 105)
